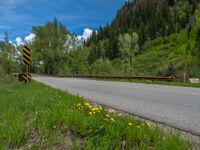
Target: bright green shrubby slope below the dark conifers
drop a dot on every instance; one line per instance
(163, 54)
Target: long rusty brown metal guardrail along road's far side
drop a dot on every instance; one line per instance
(169, 79)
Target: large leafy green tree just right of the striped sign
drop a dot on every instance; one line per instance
(51, 46)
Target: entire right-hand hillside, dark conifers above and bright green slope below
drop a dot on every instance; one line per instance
(168, 39)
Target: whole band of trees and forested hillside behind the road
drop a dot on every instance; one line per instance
(146, 38)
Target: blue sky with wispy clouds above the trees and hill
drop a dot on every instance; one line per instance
(18, 16)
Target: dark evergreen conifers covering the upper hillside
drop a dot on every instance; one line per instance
(148, 18)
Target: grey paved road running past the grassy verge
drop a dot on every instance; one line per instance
(178, 107)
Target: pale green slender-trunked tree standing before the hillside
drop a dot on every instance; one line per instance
(128, 46)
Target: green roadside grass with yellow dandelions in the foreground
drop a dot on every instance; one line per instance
(38, 116)
